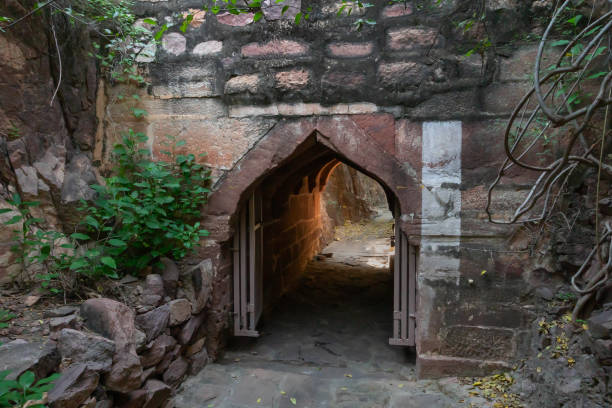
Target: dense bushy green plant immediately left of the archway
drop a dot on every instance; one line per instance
(147, 210)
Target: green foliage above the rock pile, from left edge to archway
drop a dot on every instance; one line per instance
(147, 209)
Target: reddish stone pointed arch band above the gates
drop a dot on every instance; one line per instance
(340, 134)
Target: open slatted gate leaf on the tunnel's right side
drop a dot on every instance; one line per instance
(404, 288)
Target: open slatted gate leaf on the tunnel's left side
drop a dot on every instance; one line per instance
(248, 268)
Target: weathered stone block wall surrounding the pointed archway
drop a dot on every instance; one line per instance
(398, 101)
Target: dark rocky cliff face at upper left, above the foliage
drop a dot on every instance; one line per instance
(47, 118)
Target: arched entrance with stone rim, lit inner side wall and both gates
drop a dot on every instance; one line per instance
(275, 181)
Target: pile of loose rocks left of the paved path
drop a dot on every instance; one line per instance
(112, 355)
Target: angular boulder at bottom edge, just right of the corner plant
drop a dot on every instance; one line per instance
(74, 387)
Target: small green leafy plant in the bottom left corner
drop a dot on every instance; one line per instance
(16, 393)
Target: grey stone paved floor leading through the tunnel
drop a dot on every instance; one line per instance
(325, 345)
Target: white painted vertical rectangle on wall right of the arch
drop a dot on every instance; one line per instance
(441, 200)
